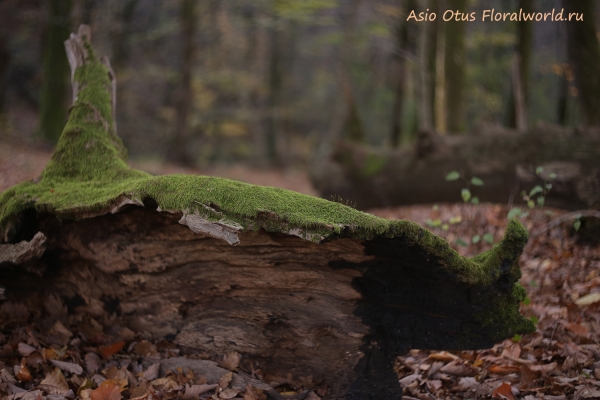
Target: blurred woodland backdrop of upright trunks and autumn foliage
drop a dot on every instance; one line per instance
(279, 82)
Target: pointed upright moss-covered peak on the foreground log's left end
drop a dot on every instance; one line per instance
(89, 148)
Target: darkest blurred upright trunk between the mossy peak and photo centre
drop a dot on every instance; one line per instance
(179, 151)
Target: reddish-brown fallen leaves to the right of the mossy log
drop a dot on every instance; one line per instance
(561, 273)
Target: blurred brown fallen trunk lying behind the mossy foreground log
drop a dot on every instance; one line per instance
(505, 160)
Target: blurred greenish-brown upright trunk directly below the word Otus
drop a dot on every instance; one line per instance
(454, 63)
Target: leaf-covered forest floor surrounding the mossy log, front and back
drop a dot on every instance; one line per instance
(561, 360)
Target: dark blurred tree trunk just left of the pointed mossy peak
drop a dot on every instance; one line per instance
(53, 114)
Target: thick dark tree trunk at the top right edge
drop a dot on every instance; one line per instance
(584, 52)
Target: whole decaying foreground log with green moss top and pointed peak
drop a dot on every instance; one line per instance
(294, 283)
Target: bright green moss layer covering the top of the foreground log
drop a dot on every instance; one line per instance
(88, 173)
